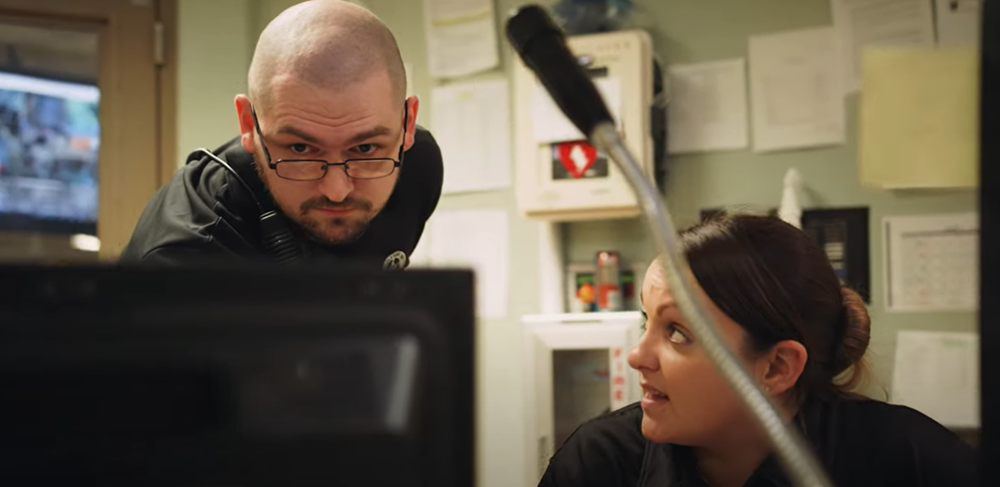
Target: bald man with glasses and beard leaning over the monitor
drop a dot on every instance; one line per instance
(318, 170)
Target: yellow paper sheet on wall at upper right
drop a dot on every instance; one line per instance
(918, 121)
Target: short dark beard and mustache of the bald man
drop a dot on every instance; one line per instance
(312, 227)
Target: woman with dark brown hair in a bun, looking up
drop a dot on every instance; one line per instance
(802, 336)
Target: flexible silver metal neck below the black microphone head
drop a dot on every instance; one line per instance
(794, 454)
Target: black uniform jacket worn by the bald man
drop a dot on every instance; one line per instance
(206, 215)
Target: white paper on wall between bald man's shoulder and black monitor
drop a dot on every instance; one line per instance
(471, 239)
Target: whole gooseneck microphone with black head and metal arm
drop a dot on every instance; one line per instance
(542, 47)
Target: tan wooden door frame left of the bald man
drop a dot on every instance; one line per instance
(127, 178)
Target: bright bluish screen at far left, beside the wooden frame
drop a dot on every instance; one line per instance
(49, 141)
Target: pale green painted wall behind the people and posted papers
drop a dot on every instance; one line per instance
(213, 70)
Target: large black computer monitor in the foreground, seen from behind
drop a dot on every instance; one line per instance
(235, 377)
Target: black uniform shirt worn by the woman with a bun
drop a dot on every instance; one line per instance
(860, 443)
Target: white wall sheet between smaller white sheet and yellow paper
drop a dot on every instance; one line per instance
(795, 93)
